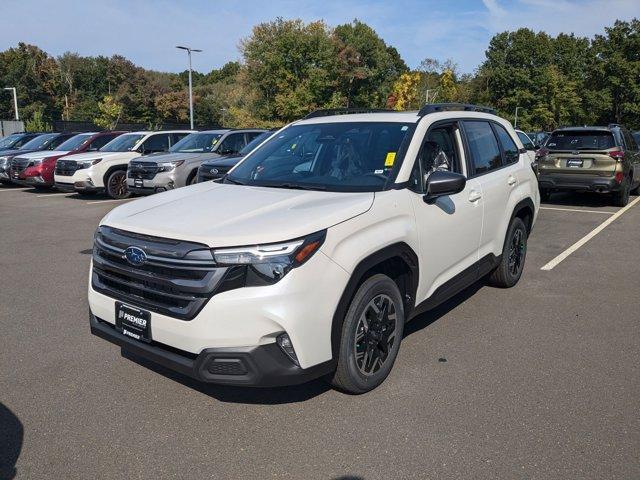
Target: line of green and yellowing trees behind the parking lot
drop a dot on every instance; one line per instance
(289, 67)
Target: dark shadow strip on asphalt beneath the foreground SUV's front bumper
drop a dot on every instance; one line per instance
(248, 395)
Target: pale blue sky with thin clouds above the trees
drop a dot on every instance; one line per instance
(146, 31)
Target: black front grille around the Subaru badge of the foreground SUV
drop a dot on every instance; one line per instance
(177, 279)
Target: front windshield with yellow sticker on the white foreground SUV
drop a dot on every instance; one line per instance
(343, 156)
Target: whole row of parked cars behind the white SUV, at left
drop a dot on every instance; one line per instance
(121, 163)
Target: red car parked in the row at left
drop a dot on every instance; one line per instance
(36, 168)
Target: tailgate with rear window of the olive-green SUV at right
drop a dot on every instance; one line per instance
(580, 152)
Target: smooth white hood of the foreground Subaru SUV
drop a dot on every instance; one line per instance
(222, 215)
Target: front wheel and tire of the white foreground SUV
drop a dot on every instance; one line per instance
(371, 336)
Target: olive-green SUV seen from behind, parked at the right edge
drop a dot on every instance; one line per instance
(597, 159)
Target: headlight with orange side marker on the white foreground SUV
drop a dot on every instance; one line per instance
(267, 264)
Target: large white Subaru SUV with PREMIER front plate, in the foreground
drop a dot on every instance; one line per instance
(308, 258)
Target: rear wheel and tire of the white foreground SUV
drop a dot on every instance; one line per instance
(514, 253)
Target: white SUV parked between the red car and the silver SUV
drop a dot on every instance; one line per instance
(106, 169)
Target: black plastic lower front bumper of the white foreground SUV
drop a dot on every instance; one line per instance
(258, 366)
